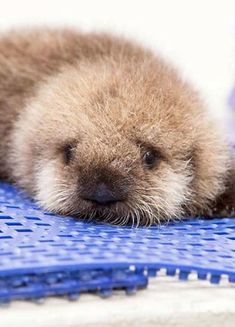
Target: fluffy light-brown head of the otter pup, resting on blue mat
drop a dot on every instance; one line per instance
(124, 144)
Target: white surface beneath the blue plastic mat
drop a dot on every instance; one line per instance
(167, 302)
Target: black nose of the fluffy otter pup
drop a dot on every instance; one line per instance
(102, 195)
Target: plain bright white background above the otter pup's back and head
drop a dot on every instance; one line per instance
(198, 36)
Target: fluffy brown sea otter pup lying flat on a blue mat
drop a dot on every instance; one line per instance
(97, 126)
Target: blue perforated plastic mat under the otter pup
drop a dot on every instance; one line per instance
(43, 254)
